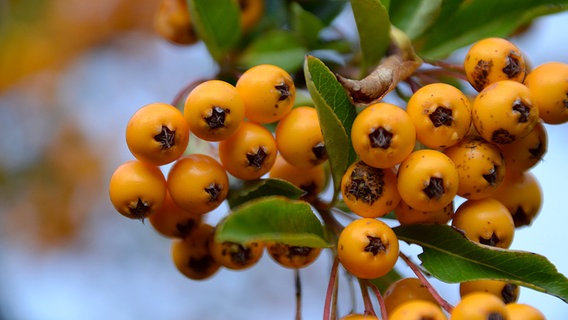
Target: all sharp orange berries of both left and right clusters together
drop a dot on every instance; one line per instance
(413, 162)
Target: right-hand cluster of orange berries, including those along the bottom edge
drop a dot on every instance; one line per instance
(415, 161)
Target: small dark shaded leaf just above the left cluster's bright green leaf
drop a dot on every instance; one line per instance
(263, 188)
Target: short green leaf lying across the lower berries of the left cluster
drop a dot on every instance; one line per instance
(273, 219)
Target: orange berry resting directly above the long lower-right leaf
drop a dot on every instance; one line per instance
(486, 221)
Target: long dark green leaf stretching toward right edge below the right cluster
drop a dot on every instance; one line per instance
(450, 257)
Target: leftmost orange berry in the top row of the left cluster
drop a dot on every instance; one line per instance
(157, 133)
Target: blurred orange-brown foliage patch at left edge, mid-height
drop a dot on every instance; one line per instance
(58, 192)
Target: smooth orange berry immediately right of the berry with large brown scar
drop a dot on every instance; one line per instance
(427, 180)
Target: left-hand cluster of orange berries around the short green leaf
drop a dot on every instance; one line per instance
(232, 118)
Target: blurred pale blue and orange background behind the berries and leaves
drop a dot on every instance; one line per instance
(71, 75)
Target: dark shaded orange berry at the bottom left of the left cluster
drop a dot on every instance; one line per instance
(191, 255)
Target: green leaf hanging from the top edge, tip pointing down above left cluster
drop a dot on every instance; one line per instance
(219, 26)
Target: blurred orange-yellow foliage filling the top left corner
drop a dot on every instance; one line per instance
(35, 35)
